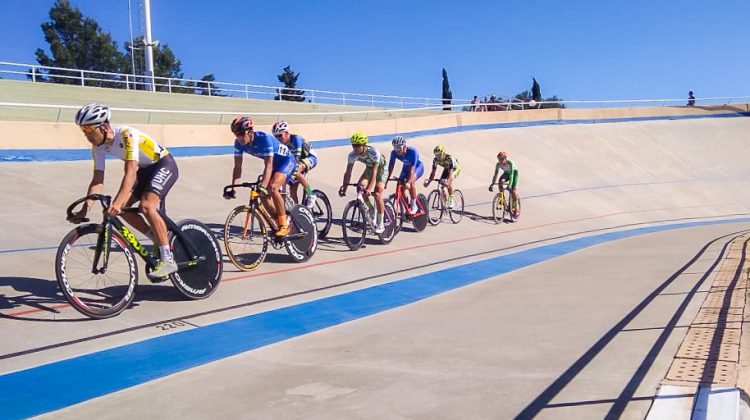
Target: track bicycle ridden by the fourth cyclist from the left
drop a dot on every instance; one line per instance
(359, 219)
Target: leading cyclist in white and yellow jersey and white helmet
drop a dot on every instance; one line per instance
(150, 172)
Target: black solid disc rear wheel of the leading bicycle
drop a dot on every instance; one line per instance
(200, 280)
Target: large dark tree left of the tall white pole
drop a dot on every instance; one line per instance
(78, 42)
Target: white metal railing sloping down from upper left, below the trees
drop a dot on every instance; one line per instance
(37, 73)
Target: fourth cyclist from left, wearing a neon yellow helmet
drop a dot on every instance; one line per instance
(372, 179)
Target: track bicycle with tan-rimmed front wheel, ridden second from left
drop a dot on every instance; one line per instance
(249, 229)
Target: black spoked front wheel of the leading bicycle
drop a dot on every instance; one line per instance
(94, 291)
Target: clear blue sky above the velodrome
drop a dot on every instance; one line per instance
(577, 49)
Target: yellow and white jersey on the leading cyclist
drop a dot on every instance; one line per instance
(129, 144)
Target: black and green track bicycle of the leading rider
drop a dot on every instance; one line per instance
(98, 274)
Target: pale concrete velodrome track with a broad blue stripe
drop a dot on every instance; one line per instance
(564, 314)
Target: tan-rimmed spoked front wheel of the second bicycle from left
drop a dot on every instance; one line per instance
(245, 238)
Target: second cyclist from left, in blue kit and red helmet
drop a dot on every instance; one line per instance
(280, 167)
